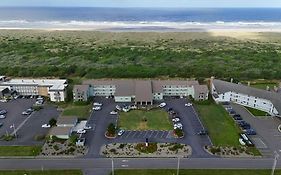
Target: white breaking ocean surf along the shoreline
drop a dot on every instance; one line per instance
(135, 24)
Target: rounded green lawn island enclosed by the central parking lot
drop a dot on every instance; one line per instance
(155, 119)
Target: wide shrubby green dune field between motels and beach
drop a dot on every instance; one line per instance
(140, 54)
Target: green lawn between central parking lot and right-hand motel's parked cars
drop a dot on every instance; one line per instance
(222, 129)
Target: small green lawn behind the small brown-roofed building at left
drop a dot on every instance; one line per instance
(81, 111)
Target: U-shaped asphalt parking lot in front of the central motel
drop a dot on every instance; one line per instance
(99, 120)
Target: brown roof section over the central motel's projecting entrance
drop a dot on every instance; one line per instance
(143, 91)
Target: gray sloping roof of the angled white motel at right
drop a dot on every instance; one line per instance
(224, 86)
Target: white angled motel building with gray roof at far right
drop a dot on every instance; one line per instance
(267, 101)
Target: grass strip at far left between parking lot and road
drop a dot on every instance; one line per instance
(20, 150)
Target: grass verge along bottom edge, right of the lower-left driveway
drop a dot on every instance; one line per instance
(195, 172)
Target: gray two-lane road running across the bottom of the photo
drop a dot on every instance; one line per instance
(137, 163)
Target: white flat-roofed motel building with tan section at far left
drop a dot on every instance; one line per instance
(55, 89)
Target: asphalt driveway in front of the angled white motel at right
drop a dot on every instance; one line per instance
(268, 136)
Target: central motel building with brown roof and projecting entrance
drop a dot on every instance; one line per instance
(143, 92)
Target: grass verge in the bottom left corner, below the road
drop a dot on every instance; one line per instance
(45, 172)
